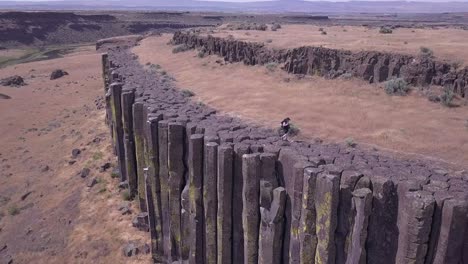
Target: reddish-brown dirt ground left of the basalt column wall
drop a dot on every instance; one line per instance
(47, 212)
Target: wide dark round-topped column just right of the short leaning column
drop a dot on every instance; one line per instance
(382, 236)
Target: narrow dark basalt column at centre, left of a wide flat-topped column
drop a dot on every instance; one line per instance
(237, 204)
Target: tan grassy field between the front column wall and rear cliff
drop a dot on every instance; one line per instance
(333, 110)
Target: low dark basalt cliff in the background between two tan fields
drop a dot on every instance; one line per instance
(372, 66)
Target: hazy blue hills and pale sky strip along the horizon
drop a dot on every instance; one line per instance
(280, 6)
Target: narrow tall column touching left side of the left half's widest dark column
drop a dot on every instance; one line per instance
(164, 182)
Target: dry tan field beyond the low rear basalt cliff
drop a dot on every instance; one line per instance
(447, 43)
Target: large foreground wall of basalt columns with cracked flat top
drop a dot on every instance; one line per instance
(219, 191)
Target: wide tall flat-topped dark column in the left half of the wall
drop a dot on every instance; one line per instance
(176, 134)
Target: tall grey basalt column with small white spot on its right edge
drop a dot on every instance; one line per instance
(139, 122)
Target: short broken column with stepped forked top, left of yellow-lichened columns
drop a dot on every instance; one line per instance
(271, 229)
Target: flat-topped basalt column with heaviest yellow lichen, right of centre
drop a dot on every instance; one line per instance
(326, 205)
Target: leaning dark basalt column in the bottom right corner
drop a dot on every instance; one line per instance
(454, 226)
